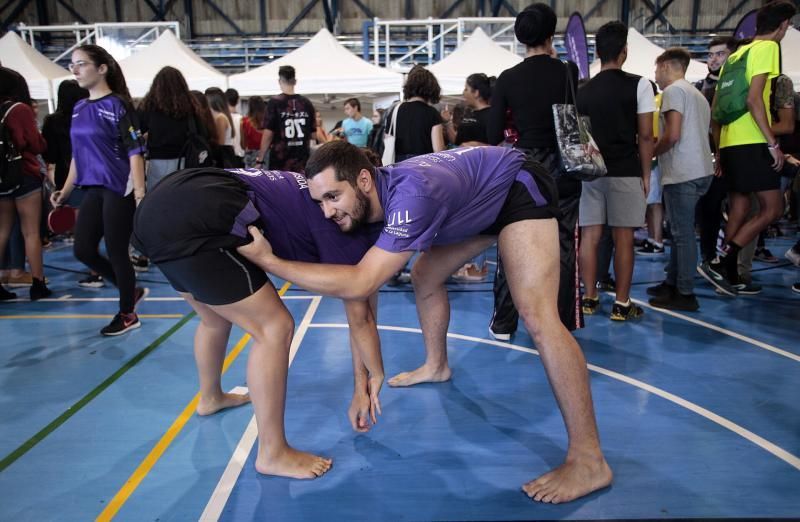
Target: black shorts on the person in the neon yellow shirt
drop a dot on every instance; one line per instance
(748, 168)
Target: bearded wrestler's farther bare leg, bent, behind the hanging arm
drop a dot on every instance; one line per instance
(429, 274)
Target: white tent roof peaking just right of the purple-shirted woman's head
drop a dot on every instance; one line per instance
(140, 68)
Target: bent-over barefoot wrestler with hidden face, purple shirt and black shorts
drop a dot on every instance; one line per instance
(189, 226)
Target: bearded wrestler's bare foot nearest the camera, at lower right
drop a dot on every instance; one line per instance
(571, 480)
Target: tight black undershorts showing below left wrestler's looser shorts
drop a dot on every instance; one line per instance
(215, 277)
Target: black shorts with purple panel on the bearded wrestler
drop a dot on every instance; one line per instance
(533, 195)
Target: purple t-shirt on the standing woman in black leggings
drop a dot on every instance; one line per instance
(104, 135)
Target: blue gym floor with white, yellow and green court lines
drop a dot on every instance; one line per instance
(698, 412)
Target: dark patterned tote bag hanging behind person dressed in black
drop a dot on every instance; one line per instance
(580, 156)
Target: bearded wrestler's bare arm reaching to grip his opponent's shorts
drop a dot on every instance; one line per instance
(343, 281)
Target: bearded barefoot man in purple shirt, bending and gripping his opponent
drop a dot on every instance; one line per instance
(451, 206)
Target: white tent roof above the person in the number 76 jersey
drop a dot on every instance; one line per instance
(323, 66)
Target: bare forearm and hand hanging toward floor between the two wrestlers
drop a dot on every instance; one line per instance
(367, 362)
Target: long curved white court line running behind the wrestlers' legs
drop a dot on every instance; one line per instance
(763, 443)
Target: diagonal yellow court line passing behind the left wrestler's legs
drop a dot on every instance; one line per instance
(161, 446)
